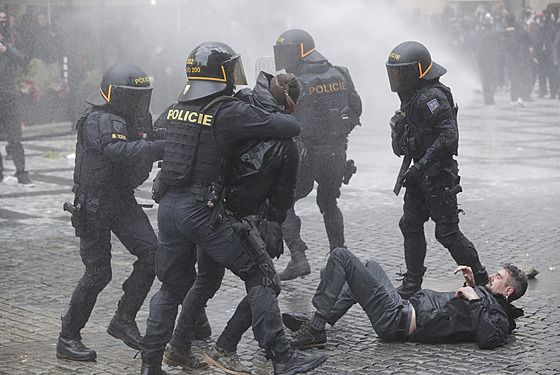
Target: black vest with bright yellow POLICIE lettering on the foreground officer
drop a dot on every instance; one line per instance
(191, 153)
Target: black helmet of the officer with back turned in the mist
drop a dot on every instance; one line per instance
(293, 47)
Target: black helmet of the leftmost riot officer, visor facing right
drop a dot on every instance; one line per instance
(125, 90)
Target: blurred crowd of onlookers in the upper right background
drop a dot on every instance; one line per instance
(515, 53)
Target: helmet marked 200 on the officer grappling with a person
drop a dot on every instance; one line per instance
(212, 67)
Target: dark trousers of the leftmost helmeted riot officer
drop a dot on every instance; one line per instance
(128, 221)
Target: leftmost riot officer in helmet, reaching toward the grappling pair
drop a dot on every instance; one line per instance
(112, 159)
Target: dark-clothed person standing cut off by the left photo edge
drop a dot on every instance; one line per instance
(10, 122)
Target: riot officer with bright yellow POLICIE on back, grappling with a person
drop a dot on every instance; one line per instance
(203, 128)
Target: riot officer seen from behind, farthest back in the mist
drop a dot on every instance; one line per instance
(329, 108)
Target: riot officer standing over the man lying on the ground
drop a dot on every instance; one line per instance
(424, 130)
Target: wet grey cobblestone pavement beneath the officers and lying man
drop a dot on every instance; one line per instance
(510, 167)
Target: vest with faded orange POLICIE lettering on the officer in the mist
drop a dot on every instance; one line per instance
(323, 96)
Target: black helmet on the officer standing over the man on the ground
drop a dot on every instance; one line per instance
(408, 63)
